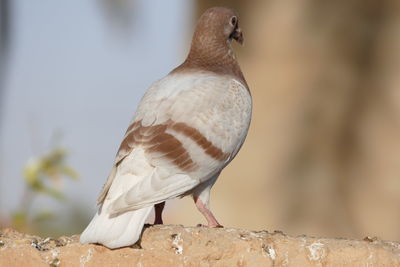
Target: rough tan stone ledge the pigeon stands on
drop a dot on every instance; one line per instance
(196, 246)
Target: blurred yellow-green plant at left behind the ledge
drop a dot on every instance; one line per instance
(43, 175)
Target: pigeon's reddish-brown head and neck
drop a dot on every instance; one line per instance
(211, 44)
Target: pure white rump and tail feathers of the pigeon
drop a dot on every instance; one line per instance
(121, 229)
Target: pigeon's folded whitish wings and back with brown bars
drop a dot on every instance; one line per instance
(189, 127)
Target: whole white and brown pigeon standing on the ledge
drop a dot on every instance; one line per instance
(187, 128)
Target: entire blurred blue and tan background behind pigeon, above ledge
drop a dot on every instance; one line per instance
(323, 153)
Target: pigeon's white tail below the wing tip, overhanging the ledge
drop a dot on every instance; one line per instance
(116, 230)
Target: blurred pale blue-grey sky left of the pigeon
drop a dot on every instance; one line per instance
(72, 71)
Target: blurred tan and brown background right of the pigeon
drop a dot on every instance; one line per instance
(323, 153)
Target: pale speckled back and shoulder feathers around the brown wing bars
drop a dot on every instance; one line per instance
(218, 106)
